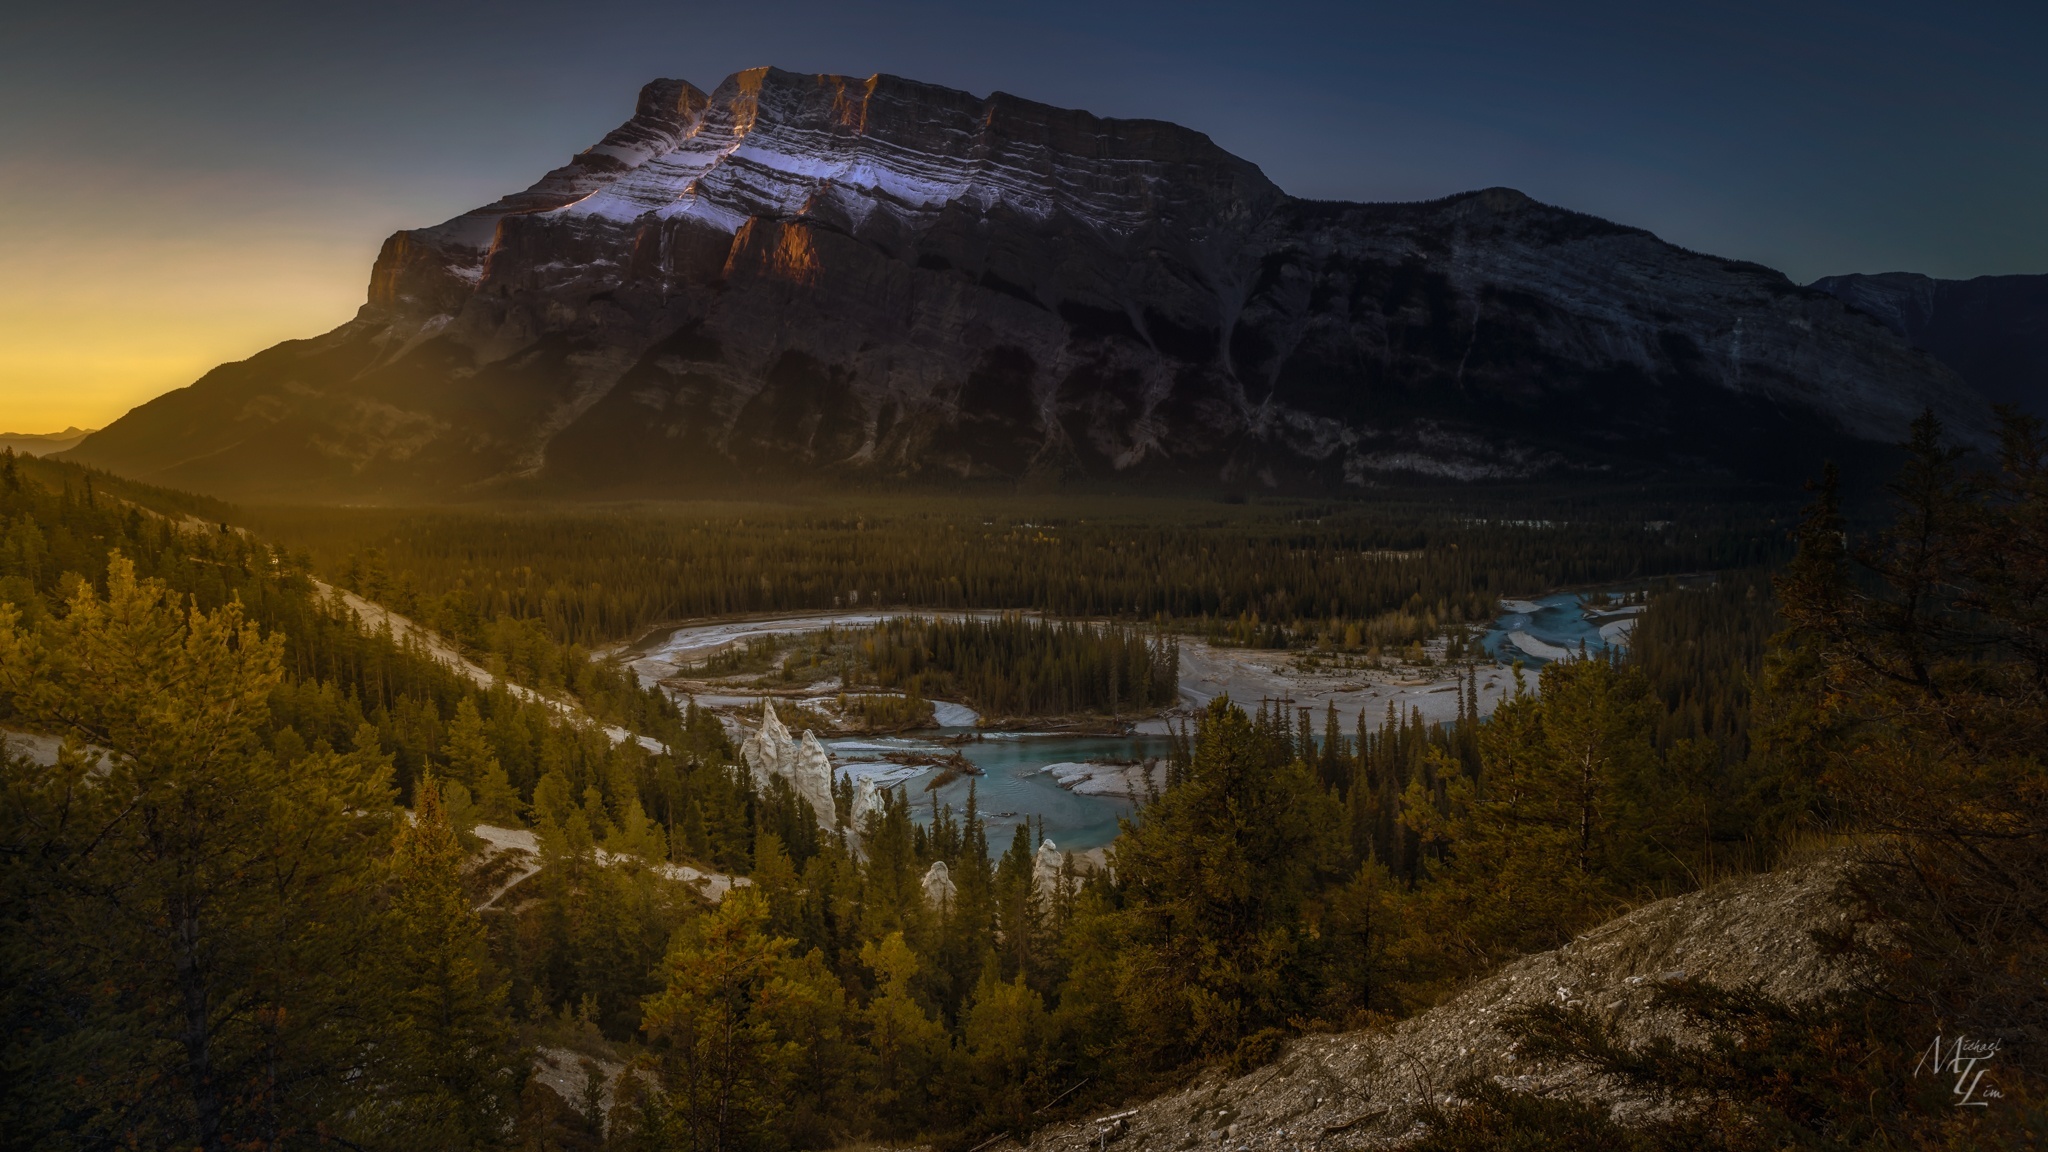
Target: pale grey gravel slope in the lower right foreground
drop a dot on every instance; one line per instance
(1363, 1089)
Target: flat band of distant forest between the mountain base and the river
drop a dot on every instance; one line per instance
(1273, 575)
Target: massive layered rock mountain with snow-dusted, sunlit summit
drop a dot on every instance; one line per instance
(818, 278)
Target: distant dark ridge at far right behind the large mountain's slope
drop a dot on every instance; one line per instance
(1994, 331)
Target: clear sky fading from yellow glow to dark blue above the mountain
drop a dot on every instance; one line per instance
(185, 186)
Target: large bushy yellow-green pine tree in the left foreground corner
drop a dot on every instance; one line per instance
(194, 905)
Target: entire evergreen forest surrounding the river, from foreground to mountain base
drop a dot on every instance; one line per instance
(249, 919)
